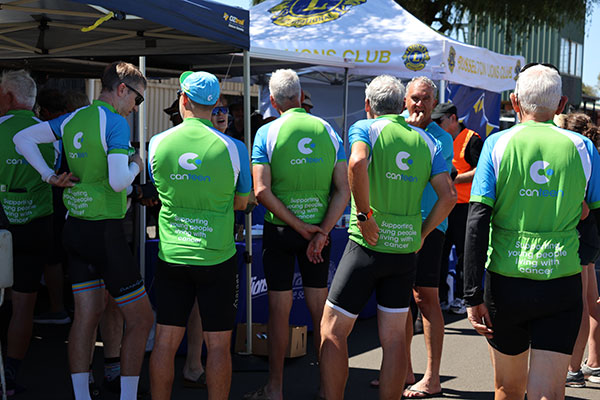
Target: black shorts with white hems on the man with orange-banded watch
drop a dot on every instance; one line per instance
(362, 270)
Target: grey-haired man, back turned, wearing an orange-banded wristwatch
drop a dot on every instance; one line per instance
(390, 165)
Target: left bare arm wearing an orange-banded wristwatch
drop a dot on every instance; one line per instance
(358, 178)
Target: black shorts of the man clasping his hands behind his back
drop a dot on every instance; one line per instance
(282, 246)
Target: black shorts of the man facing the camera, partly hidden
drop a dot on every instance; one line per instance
(429, 260)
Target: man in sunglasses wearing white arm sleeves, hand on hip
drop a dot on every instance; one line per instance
(96, 139)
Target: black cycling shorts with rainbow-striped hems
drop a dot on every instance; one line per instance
(98, 255)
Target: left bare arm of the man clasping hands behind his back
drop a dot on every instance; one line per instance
(262, 188)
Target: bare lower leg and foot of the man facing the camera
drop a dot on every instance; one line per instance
(433, 329)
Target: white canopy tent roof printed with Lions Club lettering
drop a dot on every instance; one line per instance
(381, 38)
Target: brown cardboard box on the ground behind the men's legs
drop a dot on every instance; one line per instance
(296, 347)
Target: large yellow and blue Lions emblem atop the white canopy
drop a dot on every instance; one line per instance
(299, 13)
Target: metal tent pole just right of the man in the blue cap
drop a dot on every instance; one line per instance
(248, 252)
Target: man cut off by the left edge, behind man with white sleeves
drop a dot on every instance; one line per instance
(27, 201)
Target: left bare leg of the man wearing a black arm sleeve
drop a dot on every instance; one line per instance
(510, 375)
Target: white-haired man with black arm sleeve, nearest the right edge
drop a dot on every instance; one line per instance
(526, 201)
